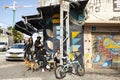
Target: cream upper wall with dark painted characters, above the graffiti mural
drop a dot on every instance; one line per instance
(102, 10)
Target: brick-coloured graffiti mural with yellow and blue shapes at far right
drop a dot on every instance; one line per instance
(105, 46)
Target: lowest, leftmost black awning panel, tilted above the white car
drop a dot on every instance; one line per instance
(25, 28)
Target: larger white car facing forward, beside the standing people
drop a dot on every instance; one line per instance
(15, 52)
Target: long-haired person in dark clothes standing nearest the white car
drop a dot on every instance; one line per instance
(28, 49)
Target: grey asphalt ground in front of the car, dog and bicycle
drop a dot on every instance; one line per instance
(15, 70)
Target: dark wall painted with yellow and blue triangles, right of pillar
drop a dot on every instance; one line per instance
(76, 42)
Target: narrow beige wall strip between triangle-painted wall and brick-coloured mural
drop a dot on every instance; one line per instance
(87, 47)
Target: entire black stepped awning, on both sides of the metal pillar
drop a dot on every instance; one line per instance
(39, 21)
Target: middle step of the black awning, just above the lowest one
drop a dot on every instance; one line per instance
(34, 20)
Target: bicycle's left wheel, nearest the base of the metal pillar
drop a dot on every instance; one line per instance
(59, 74)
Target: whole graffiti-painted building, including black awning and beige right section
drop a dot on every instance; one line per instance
(98, 39)
